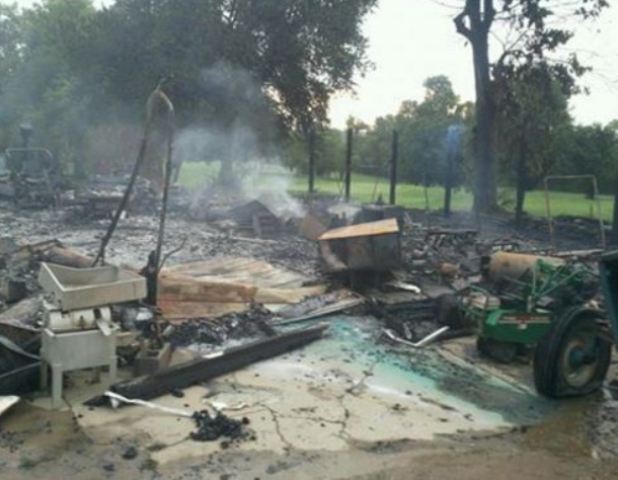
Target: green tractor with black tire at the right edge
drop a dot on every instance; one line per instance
(545, 306)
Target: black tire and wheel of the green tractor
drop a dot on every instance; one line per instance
(572, 359)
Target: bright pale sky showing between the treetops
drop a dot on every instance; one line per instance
(410, 40)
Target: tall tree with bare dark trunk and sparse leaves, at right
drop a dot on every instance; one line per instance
(535, 37)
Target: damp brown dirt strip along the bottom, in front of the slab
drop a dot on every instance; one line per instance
(49, 445)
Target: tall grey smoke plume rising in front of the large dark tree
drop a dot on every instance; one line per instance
(239, 138)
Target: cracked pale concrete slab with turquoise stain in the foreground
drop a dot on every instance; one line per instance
(314, 399)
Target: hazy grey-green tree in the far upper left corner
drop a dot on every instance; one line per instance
(40, 85)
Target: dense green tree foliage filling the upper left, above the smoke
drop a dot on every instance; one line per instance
(270, 66)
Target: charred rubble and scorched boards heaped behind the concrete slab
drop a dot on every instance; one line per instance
(411, 270)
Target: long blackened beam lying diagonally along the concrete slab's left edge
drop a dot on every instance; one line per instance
(206, 368)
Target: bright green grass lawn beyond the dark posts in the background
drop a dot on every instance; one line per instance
(366, 188)
